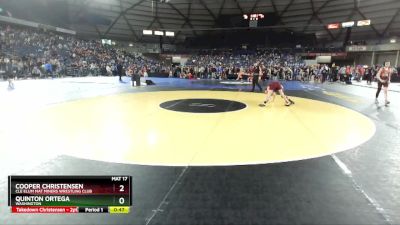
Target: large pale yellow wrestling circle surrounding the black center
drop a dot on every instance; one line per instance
(133, 128)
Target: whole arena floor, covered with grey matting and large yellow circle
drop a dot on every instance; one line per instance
(214, 156)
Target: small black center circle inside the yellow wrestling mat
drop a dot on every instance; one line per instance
(202, 105)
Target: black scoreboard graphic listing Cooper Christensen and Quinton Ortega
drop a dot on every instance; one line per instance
(70, 194)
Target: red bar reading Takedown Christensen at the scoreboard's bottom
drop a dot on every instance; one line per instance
(41, 209)
